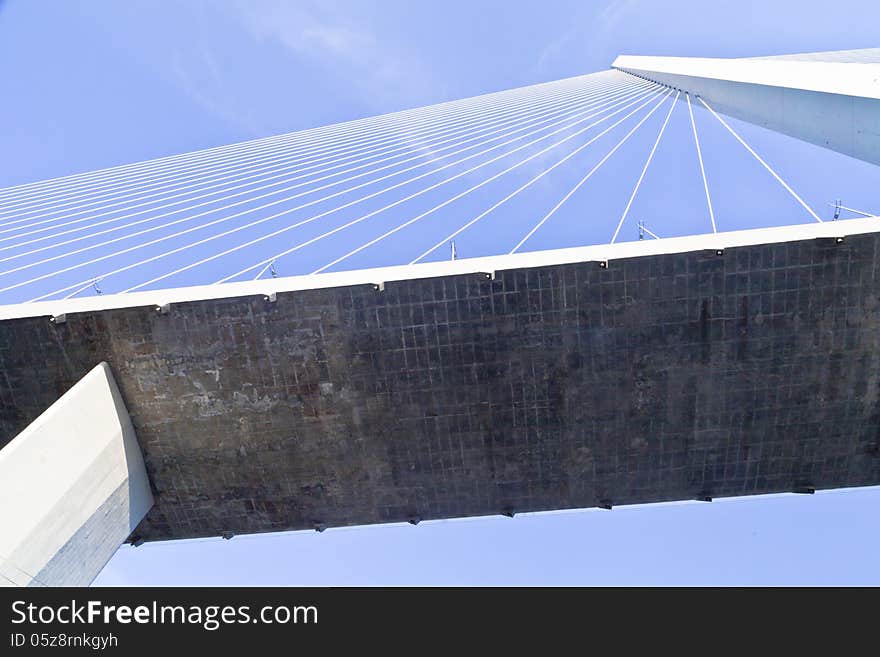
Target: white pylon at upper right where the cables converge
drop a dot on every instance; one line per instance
(833, 104)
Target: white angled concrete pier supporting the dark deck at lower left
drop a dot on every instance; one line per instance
(73, 487)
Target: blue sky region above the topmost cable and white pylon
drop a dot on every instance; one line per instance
(92, 83)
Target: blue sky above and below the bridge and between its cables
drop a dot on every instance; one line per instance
(101, 83)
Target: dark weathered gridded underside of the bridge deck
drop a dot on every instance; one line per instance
(660, 378)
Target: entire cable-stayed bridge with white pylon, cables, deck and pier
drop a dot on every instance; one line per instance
(478, 307)
